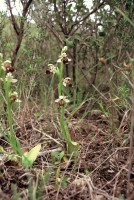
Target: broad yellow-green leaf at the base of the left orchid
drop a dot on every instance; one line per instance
(28, 158)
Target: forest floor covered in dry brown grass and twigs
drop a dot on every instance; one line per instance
(101, 171)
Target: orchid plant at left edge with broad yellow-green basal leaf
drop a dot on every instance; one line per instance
(10, 97)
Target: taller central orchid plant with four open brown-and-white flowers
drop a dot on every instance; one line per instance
(62, 101)
